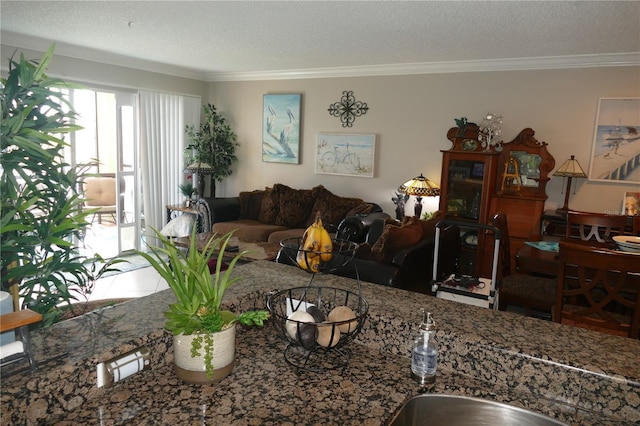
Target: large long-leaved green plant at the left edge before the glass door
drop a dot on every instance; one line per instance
(41, 213)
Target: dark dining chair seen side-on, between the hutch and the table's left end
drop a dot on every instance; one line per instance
(536, 294)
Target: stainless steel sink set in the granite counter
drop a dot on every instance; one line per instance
(451, 410)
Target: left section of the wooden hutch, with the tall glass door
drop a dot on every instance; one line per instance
(466, 186)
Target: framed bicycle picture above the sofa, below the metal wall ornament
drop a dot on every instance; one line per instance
(345, 154)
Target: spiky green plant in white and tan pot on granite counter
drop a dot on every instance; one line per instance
(204, 334)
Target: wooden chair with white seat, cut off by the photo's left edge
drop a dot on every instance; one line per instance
(20, 349)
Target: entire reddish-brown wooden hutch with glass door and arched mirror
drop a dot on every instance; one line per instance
(479, 181)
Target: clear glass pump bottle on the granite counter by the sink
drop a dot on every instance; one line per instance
(424, 358)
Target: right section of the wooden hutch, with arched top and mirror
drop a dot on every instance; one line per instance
(520, 187)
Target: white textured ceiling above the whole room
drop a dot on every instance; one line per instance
(208, 38)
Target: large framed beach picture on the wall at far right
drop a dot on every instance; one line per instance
(615, 154)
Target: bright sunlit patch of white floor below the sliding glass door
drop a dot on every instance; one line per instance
(138, 283)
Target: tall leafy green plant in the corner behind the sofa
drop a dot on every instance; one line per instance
(213, 144)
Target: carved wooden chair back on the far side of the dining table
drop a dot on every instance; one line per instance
(594, 226)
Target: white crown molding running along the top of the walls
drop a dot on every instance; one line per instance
(514, 64)
